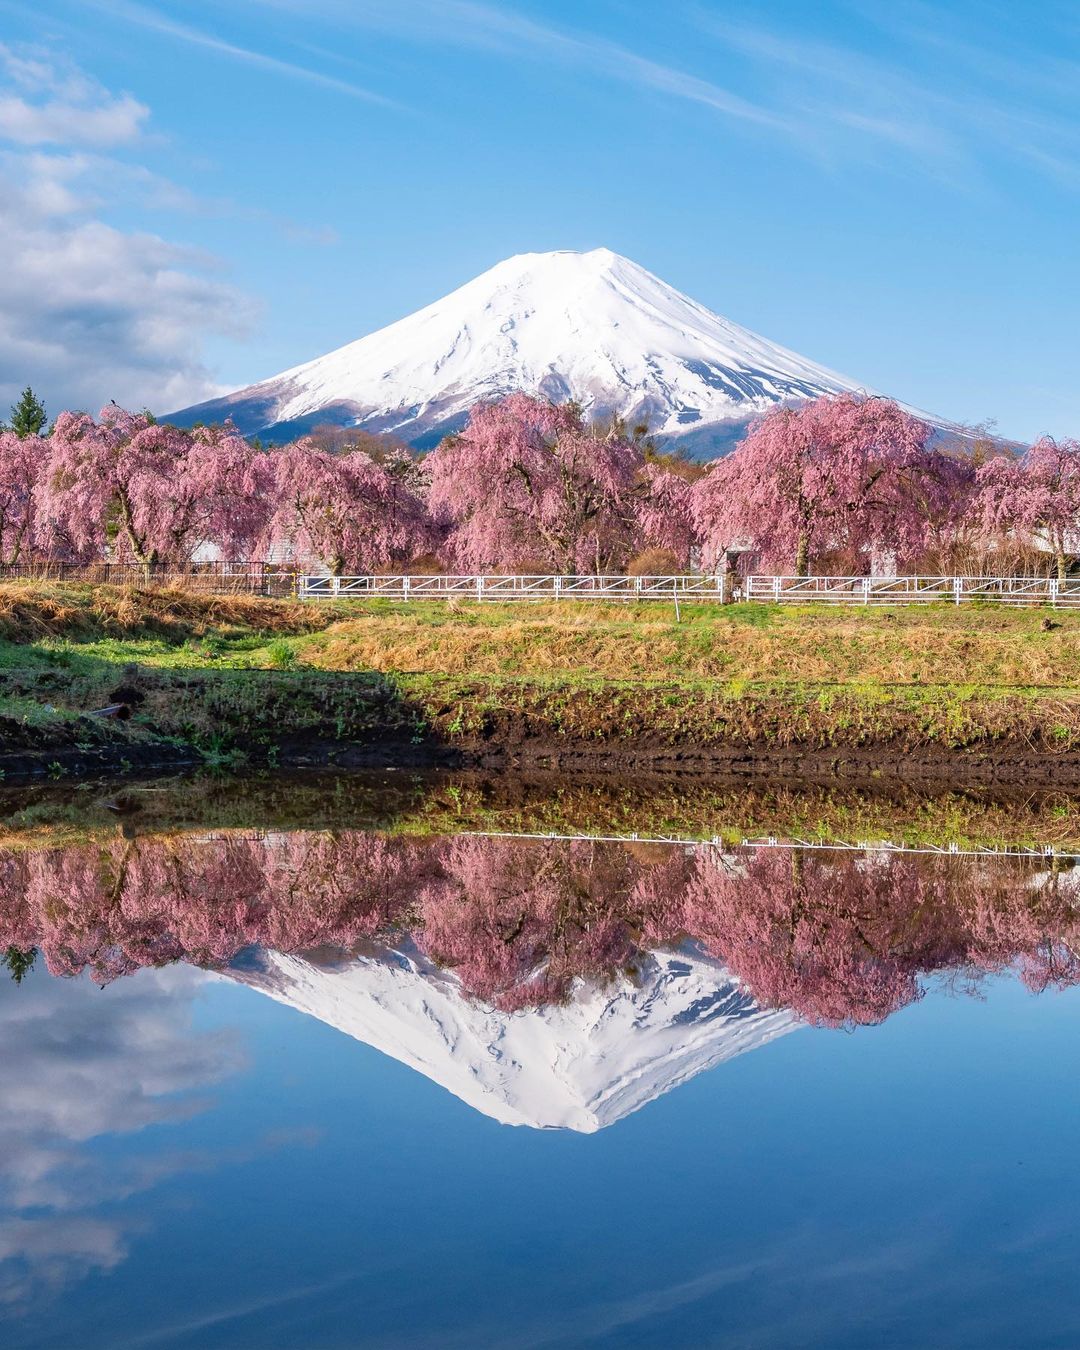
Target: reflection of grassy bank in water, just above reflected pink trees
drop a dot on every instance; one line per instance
(442, 804)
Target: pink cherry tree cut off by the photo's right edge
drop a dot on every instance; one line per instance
(1036, 499)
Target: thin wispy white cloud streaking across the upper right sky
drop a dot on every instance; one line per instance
(861, 99)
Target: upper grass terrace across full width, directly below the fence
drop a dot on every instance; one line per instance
(983, 646)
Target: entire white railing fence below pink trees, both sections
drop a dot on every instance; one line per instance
(718, 588)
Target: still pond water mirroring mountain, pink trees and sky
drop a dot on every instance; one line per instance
(410, 1078)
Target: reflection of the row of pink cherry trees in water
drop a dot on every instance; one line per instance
(843, 939)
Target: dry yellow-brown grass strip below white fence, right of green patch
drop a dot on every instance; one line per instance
(908, 647)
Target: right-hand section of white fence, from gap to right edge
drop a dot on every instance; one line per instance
(912, 591)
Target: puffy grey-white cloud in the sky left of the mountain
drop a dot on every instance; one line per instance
(90, 311)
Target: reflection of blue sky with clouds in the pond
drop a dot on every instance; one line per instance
(188, 1164)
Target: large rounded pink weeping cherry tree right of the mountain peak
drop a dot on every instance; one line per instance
(831, 475)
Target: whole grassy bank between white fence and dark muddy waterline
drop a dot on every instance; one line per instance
(271, 681)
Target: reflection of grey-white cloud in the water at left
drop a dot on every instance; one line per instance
(82, 1063)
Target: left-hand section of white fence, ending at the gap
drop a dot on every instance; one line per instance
(713, 588)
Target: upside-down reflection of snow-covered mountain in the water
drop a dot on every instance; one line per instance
(580, 1066)
